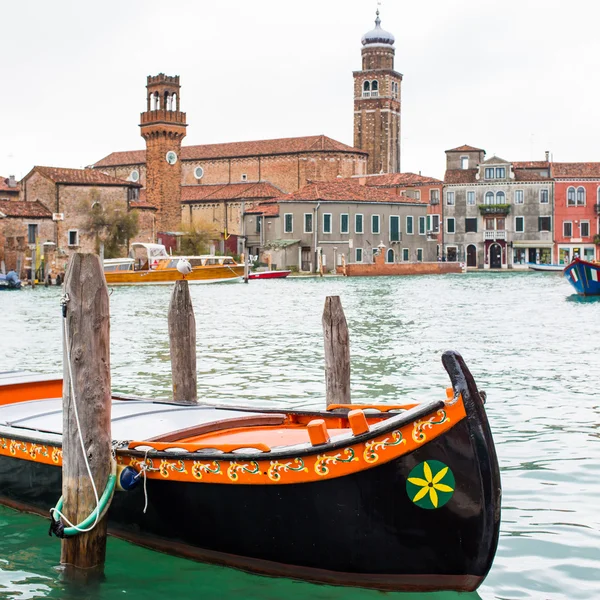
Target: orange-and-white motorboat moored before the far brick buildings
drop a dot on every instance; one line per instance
(150, 264)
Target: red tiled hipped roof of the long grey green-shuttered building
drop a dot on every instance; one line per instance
(344, 190)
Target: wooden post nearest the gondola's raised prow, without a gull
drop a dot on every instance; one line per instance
(337, 352)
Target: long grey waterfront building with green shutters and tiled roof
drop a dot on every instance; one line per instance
(325, 221)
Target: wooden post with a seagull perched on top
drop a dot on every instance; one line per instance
(182, 341)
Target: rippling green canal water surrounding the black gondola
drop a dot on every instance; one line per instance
(531, 344)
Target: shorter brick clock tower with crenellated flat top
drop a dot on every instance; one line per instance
(163, 128)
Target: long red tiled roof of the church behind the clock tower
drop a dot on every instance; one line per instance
(314, 143)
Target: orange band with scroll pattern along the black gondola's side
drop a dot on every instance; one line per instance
(312, 467)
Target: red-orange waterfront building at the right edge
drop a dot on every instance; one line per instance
(576, 208)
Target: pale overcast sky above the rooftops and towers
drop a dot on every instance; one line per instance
(516, 77)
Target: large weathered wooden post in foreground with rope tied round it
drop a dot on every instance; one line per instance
(86, 382)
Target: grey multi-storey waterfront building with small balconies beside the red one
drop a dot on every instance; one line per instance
(496, 213)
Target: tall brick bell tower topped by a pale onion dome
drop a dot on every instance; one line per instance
(377, 102)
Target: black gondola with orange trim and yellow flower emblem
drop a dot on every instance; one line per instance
(402, 497)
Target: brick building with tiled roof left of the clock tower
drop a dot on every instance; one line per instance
(69, 195)
